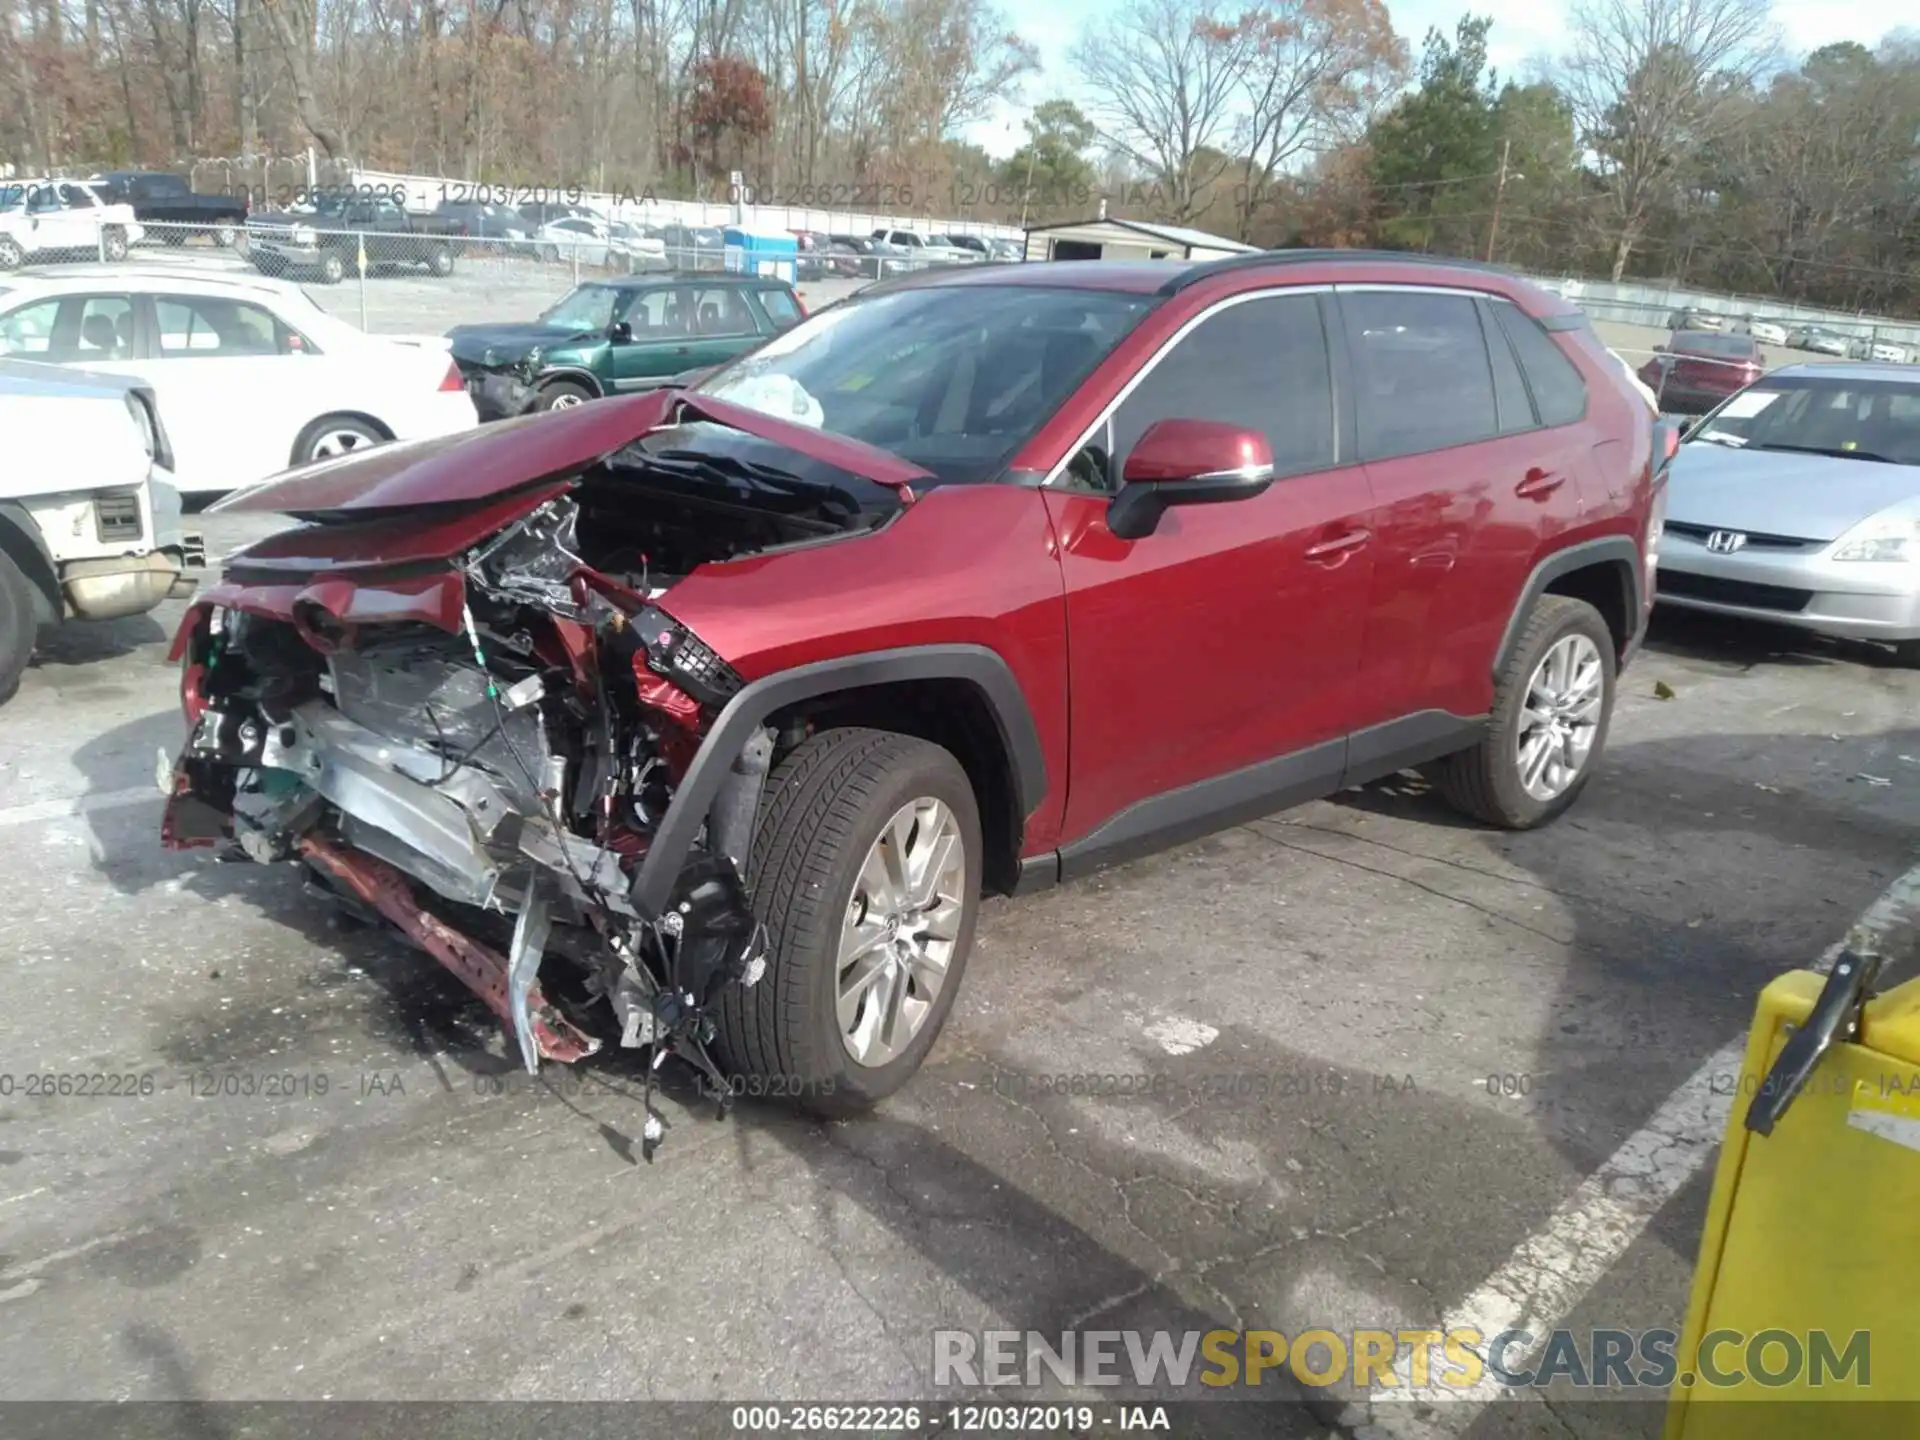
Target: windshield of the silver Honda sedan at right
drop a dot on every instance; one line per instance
(1852, 420)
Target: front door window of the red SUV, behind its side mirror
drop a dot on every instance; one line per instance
(1262, 366)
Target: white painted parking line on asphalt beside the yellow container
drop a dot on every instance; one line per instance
(1554, 1268)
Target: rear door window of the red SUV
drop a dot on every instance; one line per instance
(1422, 372)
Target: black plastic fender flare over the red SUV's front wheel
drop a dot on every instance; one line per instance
(750, 709)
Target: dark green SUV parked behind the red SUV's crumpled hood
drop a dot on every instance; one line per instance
(619, 335)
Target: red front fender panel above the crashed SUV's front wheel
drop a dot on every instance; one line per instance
(963, 565)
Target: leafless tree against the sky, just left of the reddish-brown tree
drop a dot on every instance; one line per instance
(1163, 80)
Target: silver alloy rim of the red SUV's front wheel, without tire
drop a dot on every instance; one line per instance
(900, 934)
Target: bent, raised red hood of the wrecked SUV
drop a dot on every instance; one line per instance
(519, 456)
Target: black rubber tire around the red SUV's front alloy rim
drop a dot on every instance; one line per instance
(825, 807)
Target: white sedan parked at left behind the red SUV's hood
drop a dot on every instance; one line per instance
(252, 377)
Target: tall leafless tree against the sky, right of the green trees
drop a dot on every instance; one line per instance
(1652, 84)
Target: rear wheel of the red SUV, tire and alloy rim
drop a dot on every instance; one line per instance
(1552, 708)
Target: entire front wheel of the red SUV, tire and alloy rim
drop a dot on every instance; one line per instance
(867, 873)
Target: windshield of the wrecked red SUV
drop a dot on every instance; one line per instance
(951, 379)
